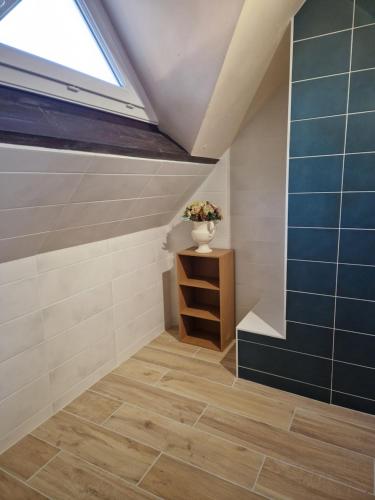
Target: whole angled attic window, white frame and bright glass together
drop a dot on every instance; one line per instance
(68, 49)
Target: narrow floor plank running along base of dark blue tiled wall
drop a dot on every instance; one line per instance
(339, 412)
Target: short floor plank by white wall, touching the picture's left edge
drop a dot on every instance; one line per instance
(27, 456)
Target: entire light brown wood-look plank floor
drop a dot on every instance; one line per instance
(172, 422)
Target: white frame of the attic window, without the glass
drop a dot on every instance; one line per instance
(29, 72)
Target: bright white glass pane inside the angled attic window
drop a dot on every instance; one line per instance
(56, 30)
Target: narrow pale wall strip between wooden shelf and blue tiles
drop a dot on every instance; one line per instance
(258, 227)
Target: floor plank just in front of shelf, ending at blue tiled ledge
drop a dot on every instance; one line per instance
(172, 361)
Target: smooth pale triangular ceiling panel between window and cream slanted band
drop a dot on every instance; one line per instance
(177, 48)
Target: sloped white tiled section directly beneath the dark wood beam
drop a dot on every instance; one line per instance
(52, 199)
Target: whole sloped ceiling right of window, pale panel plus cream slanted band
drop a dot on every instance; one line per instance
(201, 61)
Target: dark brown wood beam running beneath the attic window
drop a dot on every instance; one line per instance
(35, 120)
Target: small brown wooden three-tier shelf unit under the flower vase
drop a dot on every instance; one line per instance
(206, 298)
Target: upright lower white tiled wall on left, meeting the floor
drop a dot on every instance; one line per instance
(69, 316)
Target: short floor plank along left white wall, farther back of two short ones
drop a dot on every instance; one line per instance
(93, 407)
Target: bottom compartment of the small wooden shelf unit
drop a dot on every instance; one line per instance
(200, 332)
